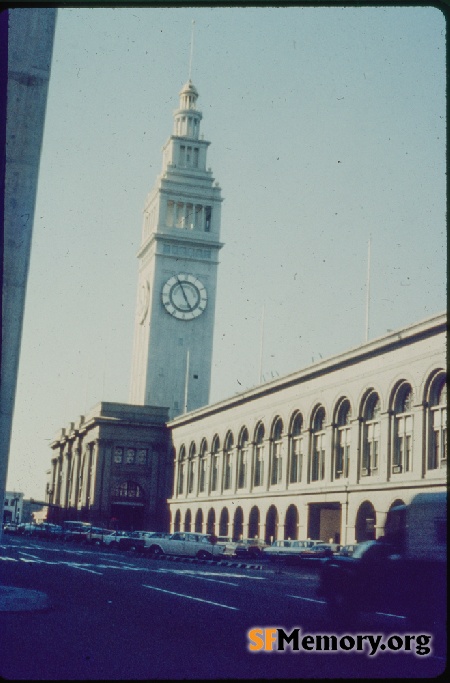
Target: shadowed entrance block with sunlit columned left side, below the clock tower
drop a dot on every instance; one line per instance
(112, 468)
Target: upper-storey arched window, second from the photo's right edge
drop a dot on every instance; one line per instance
(403, 430)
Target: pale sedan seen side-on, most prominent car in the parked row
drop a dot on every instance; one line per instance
(188, 544)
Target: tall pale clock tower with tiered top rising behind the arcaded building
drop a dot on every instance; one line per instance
(178, 259)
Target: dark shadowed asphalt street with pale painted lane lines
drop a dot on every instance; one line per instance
(106, 615)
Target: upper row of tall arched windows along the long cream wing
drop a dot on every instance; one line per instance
(298, 452)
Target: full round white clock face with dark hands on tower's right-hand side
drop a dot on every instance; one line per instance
(184, 296)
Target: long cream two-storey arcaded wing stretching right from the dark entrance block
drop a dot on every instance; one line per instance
(322, 453)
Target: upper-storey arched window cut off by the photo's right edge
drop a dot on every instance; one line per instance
(437, 449)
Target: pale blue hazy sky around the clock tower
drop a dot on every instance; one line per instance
(327, 127)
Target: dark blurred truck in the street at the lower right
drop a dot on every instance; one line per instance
(403, 572)
